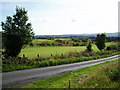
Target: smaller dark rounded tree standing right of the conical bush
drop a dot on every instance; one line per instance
(100, 41)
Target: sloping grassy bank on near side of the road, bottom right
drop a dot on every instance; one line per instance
(104, 75)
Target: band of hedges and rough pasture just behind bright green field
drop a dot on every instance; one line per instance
(60, 42)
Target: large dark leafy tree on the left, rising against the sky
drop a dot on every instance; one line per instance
(16, 32)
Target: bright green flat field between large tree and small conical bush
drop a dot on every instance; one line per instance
(32, 52)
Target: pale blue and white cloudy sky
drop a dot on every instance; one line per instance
(57, 17)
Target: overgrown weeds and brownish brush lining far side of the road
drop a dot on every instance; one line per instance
(13, 64)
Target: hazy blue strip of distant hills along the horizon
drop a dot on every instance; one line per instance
(77, 35)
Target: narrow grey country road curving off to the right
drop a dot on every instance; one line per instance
(19, 78)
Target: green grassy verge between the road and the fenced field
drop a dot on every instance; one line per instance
(16, 64)
